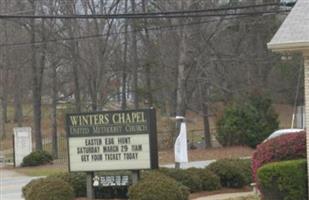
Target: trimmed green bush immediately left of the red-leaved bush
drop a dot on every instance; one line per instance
(233, 173)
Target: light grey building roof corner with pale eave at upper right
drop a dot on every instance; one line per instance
(293, 35)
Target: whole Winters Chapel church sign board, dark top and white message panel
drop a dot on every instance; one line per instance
(116, 140)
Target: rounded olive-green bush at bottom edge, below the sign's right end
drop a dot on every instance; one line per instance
(157, 186)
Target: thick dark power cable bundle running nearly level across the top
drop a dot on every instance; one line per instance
(166, 14)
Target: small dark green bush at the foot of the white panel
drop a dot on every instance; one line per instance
(37, 158)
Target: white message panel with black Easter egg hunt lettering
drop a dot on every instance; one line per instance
(127, 152)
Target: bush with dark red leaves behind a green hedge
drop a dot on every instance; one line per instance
(286, 147)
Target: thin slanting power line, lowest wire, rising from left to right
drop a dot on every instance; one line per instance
(168, 27)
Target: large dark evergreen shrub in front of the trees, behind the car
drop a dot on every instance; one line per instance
(248, 123)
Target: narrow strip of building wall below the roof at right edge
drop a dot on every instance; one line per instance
(306, 70)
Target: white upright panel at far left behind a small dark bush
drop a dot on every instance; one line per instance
(22, 144)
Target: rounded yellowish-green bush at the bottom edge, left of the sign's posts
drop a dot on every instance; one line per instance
(48, 189)
